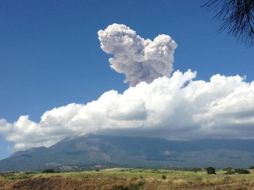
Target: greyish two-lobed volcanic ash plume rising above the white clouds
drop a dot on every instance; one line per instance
(137, 58)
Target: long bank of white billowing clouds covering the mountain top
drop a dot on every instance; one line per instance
(176, 107)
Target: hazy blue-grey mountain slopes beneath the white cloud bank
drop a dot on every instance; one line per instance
(93, 151)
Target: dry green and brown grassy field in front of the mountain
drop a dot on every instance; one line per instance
(126, 179)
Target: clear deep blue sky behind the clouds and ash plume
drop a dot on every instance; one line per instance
(50, 54)
